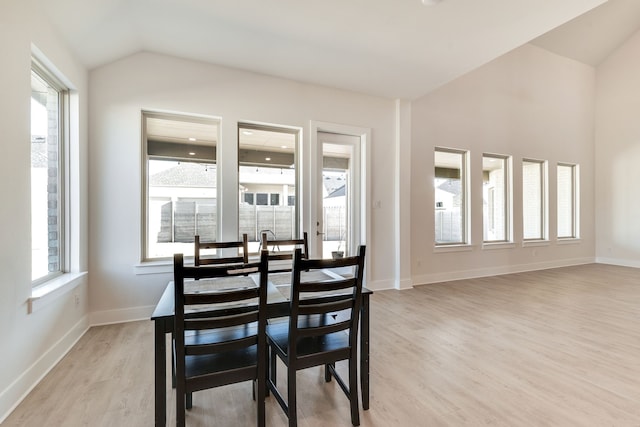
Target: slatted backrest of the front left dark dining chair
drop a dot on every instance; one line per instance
(199, 307)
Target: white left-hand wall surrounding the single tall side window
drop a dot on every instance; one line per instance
(32, 343)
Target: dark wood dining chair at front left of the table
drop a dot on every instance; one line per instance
(219, 339)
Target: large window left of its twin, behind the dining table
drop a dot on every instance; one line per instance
(180, 183)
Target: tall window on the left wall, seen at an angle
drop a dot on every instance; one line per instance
(49, 130)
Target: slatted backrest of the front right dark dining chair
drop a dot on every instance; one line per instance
(323, 304)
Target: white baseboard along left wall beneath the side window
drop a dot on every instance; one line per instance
(15, 393)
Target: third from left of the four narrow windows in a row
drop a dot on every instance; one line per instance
(534, 199)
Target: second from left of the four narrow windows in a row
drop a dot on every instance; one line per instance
(495, 198)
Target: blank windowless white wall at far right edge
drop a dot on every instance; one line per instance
(618, 156)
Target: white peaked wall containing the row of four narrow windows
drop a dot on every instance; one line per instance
(528, 103)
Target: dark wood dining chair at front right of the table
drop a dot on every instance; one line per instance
(322, 328)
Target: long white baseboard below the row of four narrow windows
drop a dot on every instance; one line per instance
(497, 271)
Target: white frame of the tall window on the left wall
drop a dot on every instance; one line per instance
(63, 133)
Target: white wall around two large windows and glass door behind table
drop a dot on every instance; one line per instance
(119, 91)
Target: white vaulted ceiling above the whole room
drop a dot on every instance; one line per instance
(393, 48)
